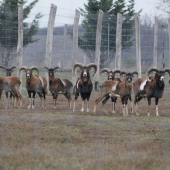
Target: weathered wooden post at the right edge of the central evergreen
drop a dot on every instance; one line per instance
(138, 45)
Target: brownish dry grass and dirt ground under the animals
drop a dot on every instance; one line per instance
(62, 139)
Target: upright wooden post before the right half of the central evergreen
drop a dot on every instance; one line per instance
(118, 41)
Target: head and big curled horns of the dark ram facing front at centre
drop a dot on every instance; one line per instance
(85, 75)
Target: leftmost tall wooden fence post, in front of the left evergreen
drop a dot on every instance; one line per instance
(20, 42)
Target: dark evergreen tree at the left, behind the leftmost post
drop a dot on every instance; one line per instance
(9, 27)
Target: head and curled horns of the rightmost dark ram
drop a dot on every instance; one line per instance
(159, 75)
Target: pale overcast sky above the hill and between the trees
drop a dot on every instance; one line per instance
(67, 7)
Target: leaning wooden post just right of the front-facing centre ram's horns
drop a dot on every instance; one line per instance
(97, 50)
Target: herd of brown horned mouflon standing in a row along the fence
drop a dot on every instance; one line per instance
(113, 87)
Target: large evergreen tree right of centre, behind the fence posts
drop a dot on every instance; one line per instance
(87, 40)
